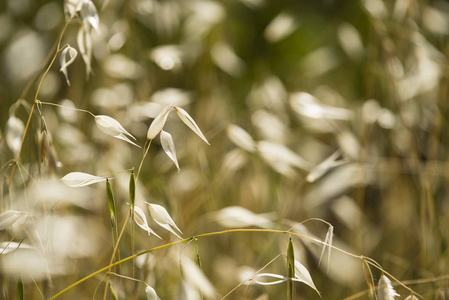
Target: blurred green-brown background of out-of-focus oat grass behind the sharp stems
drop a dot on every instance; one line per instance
(313, 109)
